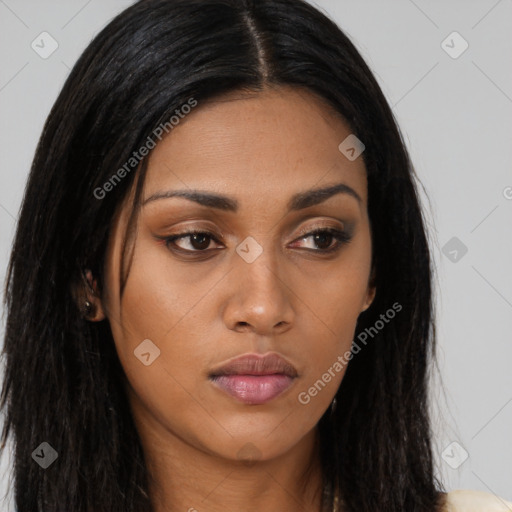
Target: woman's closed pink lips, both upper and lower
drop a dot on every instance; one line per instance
(254, 379)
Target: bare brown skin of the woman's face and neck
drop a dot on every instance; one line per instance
(201, 311)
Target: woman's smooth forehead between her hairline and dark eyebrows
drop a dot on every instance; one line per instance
(275, 142)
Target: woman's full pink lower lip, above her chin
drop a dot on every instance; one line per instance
(253, 389)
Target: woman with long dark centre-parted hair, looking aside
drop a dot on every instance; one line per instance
(285, 367)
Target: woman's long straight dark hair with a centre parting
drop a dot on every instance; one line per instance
(63, 379)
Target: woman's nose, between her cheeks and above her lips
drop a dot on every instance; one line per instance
(260, 298)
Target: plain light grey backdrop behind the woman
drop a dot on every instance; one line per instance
(456, 117)
